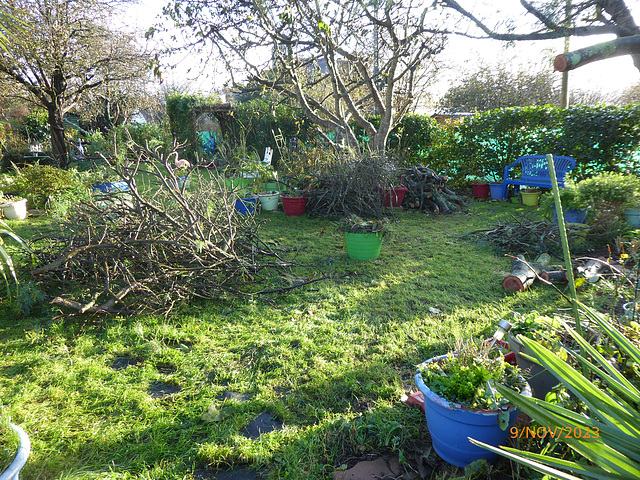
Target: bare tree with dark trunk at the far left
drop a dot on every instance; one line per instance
(63, 50)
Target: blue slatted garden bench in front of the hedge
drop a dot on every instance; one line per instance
(535, 171)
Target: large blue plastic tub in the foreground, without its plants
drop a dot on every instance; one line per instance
(451, 425)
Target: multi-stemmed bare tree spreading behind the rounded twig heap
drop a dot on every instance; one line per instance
(341, 61)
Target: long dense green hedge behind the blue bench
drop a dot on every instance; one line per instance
(601, 138)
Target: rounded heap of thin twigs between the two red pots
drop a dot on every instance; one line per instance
(350, 187)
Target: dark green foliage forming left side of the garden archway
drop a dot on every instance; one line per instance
(182, 109)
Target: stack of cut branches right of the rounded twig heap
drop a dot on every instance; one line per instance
(428, 191)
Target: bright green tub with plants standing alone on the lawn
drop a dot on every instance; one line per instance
(363, 238)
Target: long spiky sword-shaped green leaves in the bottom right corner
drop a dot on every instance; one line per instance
(608, 435)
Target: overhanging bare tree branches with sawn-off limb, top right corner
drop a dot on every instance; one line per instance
(551, 19)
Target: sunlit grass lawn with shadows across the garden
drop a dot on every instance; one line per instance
(170, 398)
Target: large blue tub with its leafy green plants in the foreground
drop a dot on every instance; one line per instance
(461, 401)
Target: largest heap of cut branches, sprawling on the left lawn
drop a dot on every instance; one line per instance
(151, 249)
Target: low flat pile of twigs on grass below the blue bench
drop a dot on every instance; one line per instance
(524, 235)
